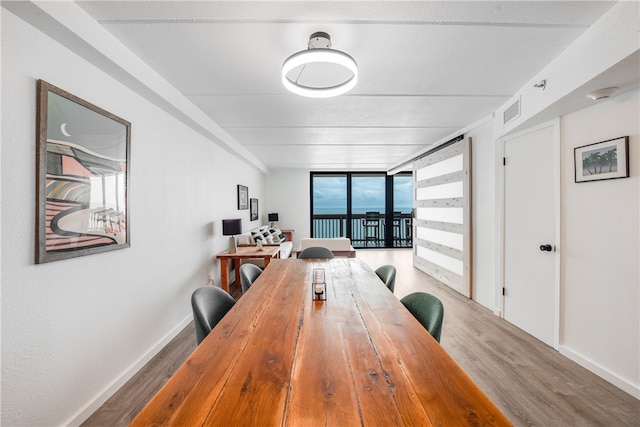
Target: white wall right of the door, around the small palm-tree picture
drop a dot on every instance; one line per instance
(600, 297)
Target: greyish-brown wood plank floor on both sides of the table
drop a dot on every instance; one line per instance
(530, 382)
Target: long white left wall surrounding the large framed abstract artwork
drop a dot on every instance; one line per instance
(74, 330)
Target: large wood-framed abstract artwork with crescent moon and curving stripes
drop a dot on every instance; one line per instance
(82, 175)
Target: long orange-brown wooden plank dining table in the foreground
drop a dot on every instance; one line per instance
(280, 358)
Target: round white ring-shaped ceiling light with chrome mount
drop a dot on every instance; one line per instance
(319, 71)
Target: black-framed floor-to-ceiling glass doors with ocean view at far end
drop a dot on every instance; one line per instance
(373, 209)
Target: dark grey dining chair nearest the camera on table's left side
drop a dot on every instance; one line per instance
(209, 304)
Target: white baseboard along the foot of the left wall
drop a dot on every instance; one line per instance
(103, 396)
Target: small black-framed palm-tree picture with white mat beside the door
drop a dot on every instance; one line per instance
(602, 160)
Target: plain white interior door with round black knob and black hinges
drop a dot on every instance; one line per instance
(530, 234)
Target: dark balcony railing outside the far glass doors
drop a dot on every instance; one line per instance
(371, 235)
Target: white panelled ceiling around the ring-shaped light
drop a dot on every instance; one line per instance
(427, 69)
